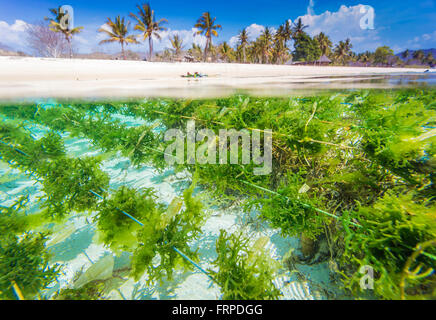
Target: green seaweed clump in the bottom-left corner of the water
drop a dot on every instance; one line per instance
(25, 261)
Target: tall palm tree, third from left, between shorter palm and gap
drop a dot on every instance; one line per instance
(146, 23)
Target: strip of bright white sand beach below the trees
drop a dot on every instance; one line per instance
(43, 77)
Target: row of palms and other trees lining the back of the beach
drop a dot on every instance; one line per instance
(290, 42)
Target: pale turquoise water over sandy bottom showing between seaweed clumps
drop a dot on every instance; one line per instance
(75, 247)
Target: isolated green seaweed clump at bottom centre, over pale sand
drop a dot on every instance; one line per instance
(244, 273)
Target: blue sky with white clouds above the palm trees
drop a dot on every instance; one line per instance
(399, 24)
